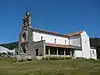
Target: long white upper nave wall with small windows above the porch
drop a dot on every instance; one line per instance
(50, 38)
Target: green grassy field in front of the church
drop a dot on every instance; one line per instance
(50, 67)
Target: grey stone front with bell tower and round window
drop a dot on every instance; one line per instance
(25, 37)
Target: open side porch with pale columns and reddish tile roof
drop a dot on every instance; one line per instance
(59, 50)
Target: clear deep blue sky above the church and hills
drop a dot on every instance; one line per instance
(63, 16)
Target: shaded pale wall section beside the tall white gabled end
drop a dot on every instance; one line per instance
(75, 41)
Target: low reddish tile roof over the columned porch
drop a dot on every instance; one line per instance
(62, 46)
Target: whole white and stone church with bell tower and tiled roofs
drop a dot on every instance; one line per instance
(36, 43)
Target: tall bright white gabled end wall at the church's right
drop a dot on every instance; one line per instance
(85, 45)
